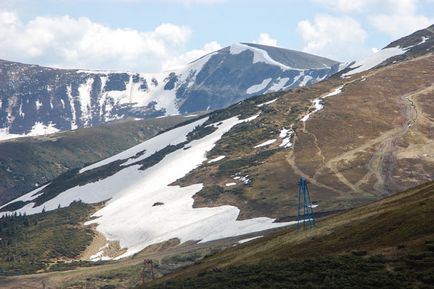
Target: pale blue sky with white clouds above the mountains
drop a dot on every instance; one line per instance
(154, 35)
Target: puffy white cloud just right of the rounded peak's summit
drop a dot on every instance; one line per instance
(340, 38)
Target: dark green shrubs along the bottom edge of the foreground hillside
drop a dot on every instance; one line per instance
(347, 271)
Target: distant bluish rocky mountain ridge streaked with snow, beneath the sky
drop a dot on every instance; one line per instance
(37, 100)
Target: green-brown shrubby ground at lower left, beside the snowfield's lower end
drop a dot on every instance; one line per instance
(42, 241)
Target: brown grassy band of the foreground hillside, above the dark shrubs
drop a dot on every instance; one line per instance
(395, 226)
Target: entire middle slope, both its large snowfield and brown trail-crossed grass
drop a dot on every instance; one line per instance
(355, 139)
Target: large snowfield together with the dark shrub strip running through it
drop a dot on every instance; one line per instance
(123, 177)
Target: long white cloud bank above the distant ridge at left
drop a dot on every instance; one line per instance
(80, 43)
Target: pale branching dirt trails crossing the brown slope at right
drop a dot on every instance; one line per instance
(383, 160)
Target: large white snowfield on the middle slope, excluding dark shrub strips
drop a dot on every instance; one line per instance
(130, 216)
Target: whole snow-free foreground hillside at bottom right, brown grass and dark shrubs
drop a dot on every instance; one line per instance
(386, 244)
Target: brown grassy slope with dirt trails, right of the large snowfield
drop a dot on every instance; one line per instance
(374, 138)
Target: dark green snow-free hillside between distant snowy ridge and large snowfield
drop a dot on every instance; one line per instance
(26, 162)
